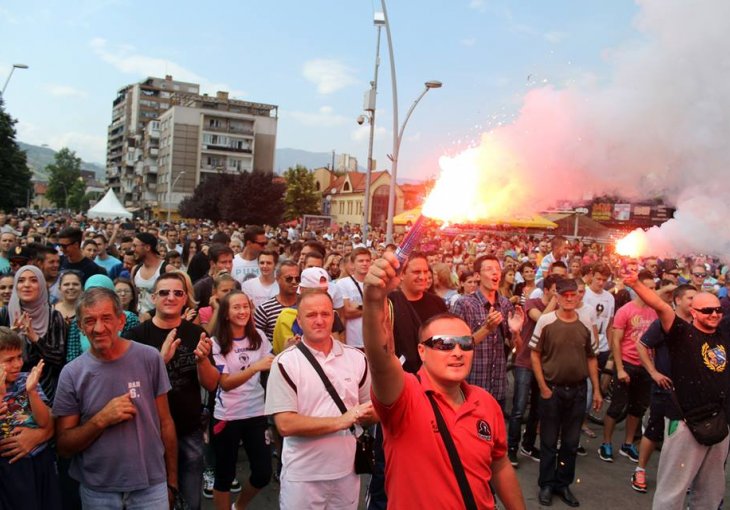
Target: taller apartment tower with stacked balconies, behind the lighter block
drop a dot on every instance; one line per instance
(131, 167)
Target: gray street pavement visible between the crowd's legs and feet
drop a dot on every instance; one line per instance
(599, 485)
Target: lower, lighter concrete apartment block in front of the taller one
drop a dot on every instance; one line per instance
(204, 135)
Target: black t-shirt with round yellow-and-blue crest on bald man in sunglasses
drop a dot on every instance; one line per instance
(700, 370)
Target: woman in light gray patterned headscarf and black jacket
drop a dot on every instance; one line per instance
(42, 327)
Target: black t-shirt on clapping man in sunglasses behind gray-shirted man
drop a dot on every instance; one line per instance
(184, 396)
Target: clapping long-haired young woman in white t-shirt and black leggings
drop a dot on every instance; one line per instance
(242, 353)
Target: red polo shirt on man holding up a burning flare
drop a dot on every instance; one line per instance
(418, 472)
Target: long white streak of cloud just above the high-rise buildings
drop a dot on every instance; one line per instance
(124, 59)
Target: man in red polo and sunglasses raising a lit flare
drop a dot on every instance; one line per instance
(472, 416)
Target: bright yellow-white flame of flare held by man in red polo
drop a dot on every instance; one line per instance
(476, 185)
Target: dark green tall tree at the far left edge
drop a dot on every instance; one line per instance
(14, 172)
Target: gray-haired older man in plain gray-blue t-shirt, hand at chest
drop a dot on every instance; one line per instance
(111, 404)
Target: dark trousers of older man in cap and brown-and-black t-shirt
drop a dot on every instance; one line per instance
(561, 417)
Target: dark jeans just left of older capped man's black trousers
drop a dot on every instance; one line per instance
(525, 386)
